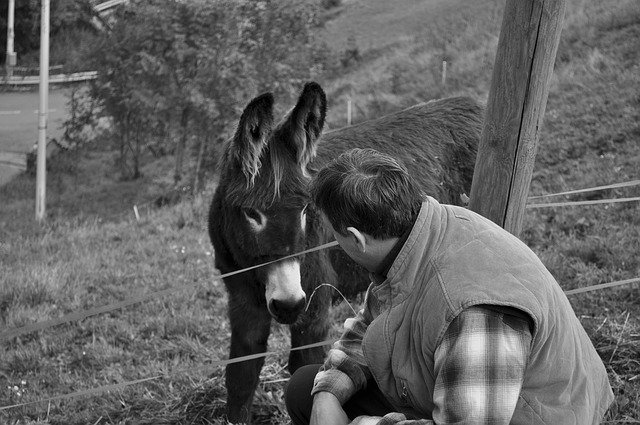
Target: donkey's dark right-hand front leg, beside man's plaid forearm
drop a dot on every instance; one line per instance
(312, 327)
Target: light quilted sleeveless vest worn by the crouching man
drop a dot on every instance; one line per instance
(454, 259)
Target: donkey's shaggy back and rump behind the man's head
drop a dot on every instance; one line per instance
(437, 141)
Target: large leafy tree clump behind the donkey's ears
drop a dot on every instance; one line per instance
(171, 73)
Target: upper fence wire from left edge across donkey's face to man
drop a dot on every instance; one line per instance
(83, 314)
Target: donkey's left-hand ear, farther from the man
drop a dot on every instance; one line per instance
(251, 136)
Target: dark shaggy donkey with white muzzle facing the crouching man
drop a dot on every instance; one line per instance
(260, 212)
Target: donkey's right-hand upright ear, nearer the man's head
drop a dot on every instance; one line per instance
(303, 126)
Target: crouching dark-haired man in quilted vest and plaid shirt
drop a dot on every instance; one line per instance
(462, 323)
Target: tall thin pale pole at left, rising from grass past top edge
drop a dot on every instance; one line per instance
(41, 170)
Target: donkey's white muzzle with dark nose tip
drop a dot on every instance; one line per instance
(285, 297)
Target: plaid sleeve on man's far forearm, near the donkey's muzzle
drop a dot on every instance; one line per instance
(345, 369)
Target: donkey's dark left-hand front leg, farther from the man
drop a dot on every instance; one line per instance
(250, 326)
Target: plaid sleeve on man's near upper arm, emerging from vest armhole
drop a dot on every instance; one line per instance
(479, 367)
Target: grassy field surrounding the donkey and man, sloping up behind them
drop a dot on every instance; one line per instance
(93, 252)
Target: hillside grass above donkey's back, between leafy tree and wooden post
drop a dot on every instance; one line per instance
(402, 50)
